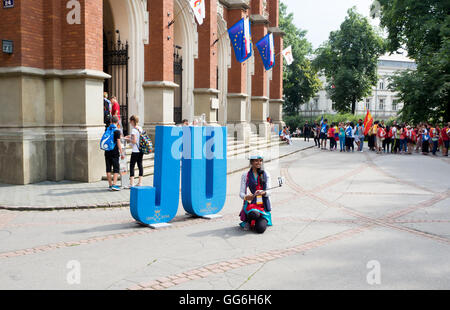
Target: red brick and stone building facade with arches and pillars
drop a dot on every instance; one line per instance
(152, 54)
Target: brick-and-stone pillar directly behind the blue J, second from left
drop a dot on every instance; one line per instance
(159, 61)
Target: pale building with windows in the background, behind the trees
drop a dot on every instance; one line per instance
(382, 103)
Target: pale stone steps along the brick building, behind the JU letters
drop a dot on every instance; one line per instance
(235, 148)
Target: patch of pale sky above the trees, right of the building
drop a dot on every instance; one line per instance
(319, 17)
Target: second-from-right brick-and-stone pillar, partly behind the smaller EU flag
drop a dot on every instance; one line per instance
(260, 99)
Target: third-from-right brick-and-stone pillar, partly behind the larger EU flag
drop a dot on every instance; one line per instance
(237, 85)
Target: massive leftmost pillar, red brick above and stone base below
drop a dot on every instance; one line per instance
(52, 121)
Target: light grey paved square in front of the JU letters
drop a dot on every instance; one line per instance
(338, 215)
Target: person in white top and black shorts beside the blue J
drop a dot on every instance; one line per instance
(136, 155)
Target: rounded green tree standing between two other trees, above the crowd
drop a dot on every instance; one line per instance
(349, 61)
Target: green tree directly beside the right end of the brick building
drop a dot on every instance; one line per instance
(300, 80)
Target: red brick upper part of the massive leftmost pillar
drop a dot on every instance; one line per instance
(43, 39)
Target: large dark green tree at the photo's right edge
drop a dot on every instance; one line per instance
(422, 28)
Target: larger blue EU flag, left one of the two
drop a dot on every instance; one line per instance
(241, 39)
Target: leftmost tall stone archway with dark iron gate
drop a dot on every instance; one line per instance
(124, 21)
